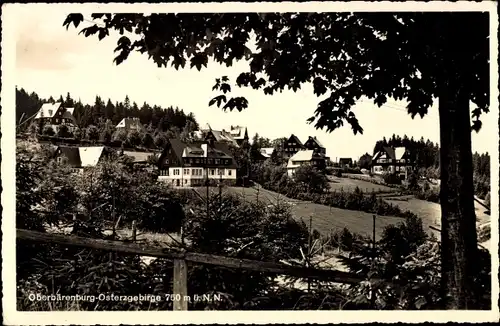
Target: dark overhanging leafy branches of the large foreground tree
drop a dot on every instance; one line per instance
(344, 55)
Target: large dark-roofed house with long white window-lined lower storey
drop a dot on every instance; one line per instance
(192, 164)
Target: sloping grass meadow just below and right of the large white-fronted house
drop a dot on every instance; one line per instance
(325, 219)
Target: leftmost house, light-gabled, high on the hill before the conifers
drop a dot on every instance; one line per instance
(55, 115)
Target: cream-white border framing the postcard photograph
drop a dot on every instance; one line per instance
(12, 317)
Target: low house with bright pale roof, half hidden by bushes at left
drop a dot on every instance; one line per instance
(79, 158)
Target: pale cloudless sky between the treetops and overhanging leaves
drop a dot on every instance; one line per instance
(52, 61)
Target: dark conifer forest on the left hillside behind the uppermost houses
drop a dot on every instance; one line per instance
(97, 120)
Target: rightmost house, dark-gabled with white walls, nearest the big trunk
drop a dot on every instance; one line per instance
(392, 160)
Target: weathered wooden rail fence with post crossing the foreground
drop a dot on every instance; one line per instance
(180, 259)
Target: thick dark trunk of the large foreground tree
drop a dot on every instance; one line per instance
(458, 235)
